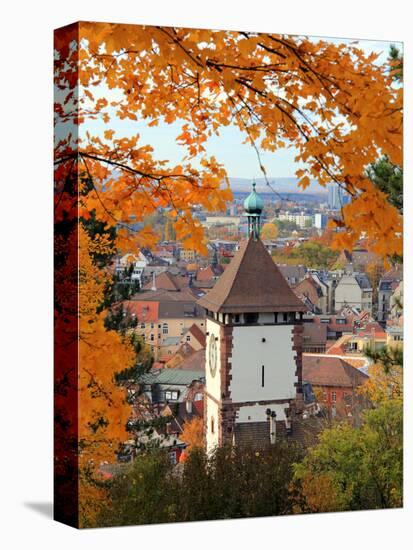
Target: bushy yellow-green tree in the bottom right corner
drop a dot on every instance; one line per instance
(355, 468)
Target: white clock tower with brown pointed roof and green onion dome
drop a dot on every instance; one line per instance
(253, 347)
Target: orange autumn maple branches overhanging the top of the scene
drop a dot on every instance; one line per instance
(334, 104)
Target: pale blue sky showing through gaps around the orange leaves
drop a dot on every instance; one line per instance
(240, 160)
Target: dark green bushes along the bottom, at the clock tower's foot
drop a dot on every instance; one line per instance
(228, 483)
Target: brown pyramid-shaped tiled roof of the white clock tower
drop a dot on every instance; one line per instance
(251, 283)
